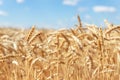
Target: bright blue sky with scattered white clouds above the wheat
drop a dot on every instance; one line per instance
(57, 13)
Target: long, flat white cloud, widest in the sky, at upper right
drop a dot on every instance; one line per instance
(104, 9)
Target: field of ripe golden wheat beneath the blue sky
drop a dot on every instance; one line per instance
(82, 53)
